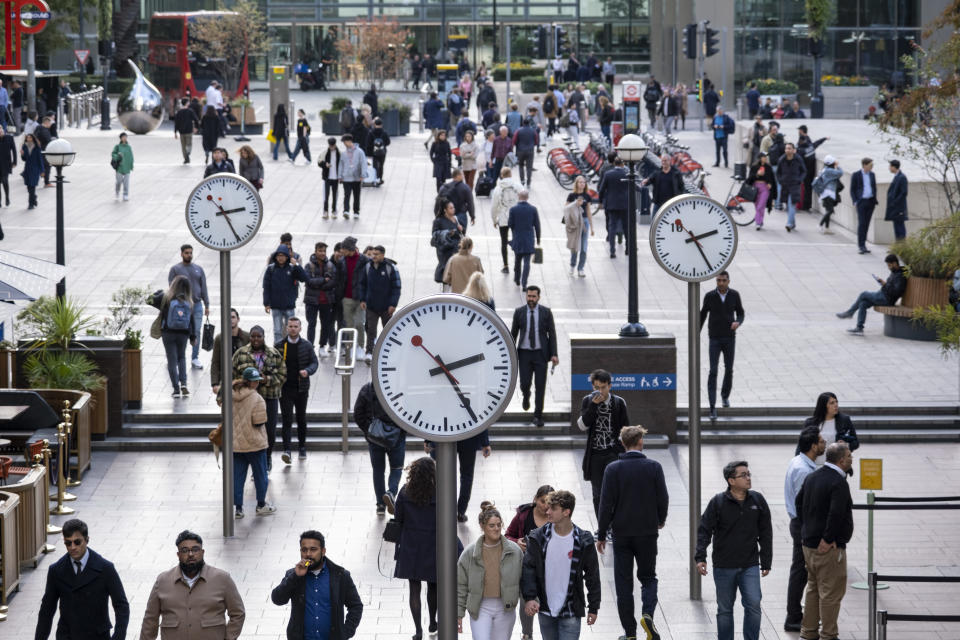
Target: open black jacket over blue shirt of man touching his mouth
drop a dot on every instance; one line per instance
(343, 595)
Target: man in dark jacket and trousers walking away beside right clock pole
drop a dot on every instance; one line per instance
(633, 502)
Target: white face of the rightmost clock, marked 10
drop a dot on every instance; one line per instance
(693, 237)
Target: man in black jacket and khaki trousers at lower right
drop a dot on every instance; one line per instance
(825, 509)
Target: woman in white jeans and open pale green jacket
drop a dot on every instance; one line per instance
(488, 580)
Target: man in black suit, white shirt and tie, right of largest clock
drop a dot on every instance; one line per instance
(536, 338)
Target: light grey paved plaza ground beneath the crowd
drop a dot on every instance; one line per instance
(791, 348)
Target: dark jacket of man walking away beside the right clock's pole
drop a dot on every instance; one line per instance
(633, 499)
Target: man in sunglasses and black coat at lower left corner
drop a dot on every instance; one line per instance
(82, 581)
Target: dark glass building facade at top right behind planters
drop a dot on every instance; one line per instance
(868, 38)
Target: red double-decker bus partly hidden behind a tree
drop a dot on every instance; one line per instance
(172, 66)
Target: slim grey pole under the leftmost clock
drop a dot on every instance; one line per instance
(226, 388)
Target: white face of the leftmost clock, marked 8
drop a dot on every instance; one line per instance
(224, 211)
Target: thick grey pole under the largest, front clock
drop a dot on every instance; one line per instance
(447, 540)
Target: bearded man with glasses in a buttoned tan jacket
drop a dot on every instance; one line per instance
(189, 601)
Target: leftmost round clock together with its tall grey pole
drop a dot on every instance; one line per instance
(224, 212)
